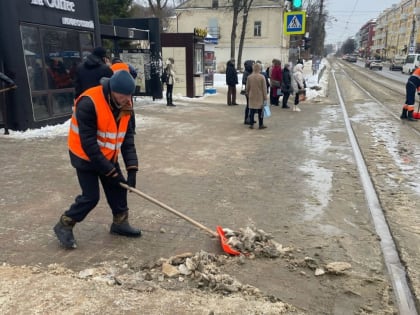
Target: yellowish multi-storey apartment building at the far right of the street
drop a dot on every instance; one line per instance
(396, 30)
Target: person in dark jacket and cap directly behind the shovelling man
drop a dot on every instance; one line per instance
(89, 73)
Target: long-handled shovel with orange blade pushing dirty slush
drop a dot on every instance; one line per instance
(220, 233)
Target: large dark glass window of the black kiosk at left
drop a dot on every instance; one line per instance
(51, 57)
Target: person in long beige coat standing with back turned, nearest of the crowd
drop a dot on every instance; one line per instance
(256, 89)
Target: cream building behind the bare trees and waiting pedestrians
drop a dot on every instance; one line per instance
(264, 37)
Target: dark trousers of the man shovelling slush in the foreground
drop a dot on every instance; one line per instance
(84, 203)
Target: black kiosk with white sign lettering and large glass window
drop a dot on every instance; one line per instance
(41, 42)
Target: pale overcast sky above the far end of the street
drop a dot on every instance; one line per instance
(348, 16)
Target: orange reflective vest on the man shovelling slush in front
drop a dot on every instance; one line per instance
(109, 136)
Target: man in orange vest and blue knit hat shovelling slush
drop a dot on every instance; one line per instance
(99, 131)
